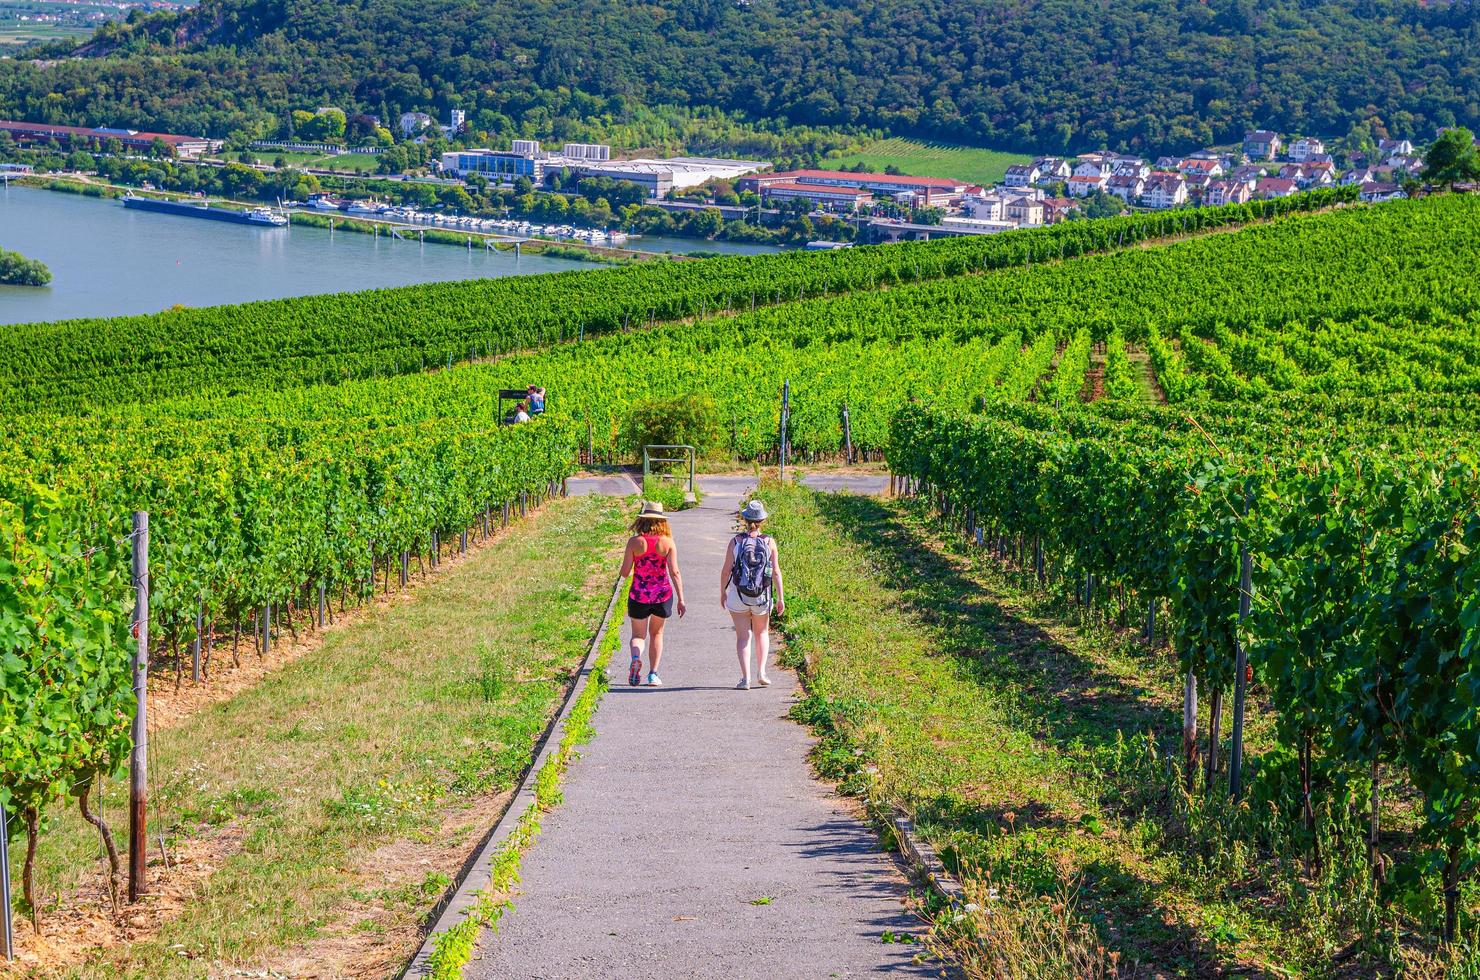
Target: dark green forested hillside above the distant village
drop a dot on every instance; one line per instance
(1062, 75)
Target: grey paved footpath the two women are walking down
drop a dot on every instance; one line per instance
(690, 809)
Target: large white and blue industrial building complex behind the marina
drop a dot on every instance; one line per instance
(594, 161)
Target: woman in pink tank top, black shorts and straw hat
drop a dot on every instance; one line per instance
(656, 591)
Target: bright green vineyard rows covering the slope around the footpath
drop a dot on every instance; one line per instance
(1251, 430)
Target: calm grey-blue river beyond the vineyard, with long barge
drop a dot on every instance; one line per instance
(109, 261)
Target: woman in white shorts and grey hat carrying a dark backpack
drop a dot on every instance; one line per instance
(750, 590)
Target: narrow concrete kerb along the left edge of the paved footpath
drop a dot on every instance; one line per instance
(477, 873)
